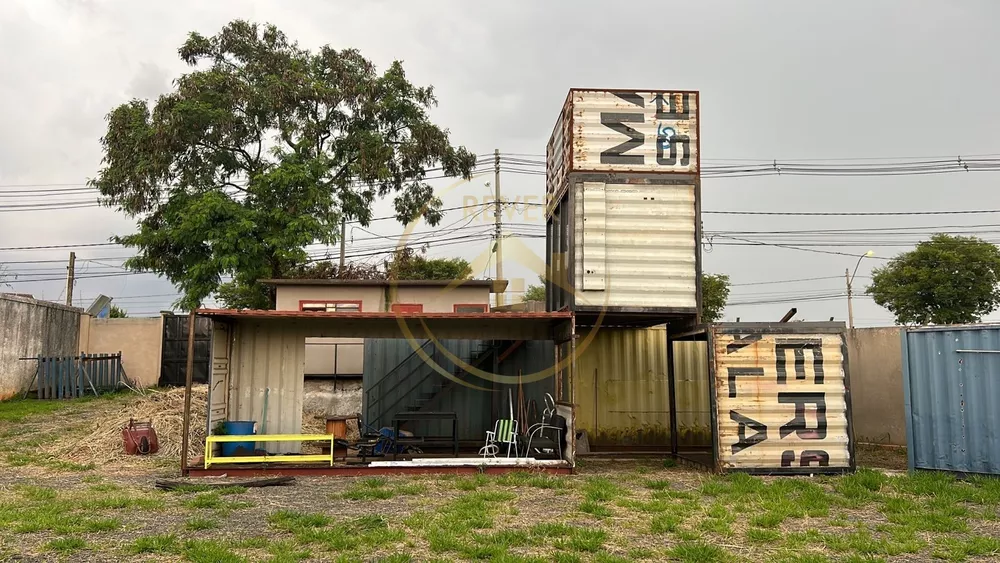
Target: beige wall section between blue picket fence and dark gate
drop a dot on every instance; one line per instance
(139, 340)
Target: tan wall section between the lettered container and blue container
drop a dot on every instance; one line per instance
(876, 370)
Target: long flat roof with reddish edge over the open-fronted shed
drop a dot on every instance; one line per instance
(556, 326)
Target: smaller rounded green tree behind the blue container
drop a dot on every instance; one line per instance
(945, 280)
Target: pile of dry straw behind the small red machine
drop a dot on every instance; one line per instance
(102, 442)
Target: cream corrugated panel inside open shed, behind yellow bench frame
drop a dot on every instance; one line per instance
(268, 355)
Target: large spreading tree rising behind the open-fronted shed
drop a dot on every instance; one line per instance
(261, 150)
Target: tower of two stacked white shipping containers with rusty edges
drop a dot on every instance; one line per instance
(623, 220)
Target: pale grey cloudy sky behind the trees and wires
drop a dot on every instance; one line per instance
(778, 81)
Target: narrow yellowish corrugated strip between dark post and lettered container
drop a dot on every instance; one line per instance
(693, 386)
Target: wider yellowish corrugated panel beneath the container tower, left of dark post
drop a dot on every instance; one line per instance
(620, 388)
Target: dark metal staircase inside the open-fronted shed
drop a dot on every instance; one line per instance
(413, 385)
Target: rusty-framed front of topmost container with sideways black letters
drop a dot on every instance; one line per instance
(635, 131)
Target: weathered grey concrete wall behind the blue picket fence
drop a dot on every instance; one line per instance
(30, 328)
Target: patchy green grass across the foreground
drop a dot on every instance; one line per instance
(621, 511)
